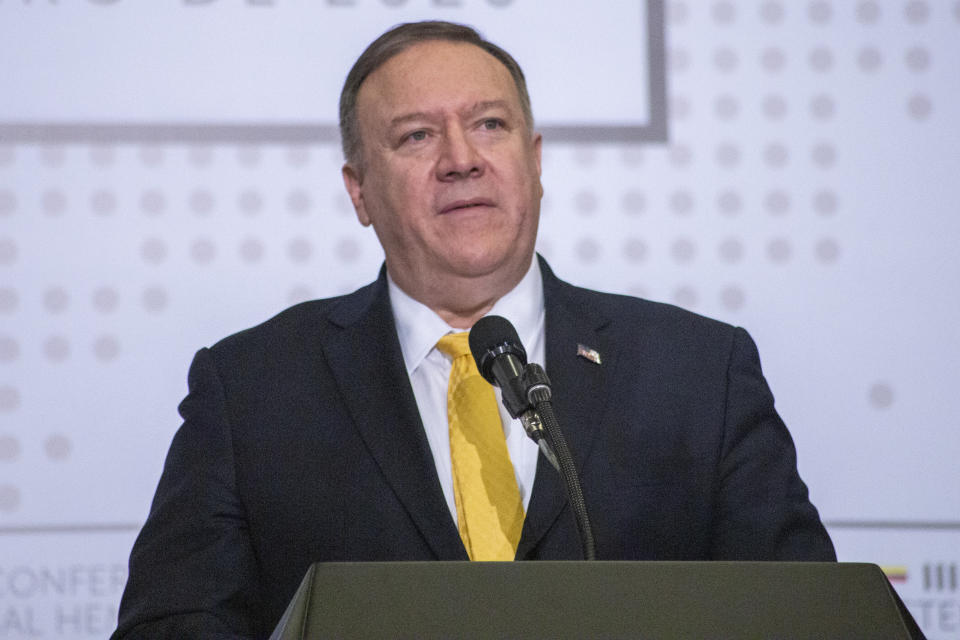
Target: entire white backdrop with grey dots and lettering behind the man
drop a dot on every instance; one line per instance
(169, 174)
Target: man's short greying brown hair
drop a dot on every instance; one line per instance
(394, 42)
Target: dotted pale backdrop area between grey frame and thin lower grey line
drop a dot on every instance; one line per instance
(768, 208)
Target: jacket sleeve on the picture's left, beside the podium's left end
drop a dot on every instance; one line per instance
(193, 573)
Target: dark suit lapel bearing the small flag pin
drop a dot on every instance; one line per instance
(578, 396)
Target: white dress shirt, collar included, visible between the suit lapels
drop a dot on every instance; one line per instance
(419, 328)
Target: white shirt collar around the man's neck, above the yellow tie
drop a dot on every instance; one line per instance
(419, 327)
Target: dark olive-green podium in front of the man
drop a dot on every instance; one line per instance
(650, 600)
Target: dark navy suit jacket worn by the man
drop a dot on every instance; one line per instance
(302, 442)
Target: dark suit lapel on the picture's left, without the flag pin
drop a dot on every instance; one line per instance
(365, 357)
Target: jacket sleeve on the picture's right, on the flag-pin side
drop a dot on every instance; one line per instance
(763, 511)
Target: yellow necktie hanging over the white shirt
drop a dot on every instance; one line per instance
(489, 509)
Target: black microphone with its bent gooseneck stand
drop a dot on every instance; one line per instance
(502, 361)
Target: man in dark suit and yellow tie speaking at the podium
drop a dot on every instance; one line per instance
(321, 435)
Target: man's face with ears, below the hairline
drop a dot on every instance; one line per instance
(450, 176)
